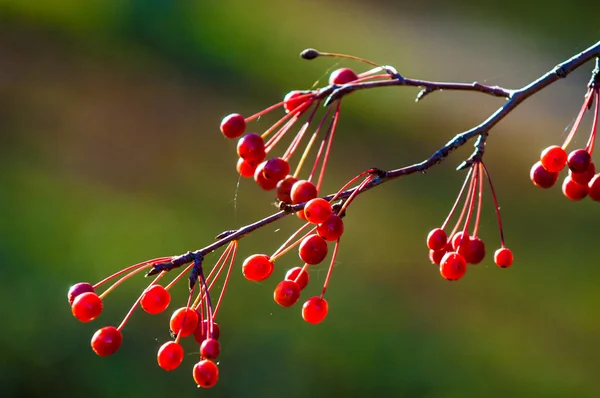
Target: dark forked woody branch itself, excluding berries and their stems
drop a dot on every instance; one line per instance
(378, 177)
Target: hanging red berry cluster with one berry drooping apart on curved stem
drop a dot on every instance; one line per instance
(453, 252)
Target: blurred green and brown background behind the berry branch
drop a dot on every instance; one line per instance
(111, 154)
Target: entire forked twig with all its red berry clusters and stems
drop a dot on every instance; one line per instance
(298, 193)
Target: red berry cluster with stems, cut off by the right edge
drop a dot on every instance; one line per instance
(582, 179)
